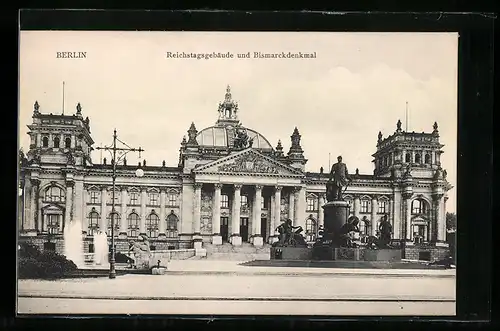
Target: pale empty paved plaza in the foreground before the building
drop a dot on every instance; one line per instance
(216, 287)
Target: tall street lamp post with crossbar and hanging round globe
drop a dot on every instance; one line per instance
(139, 173)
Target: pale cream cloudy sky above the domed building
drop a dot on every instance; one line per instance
(357, 85)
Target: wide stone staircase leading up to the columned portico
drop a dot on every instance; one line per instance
(245, 252)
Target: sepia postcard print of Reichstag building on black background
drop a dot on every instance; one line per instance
(237, 173)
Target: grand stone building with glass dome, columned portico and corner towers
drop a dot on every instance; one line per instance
(230, 186)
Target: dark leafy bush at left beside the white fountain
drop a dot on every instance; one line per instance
(35, 264)
